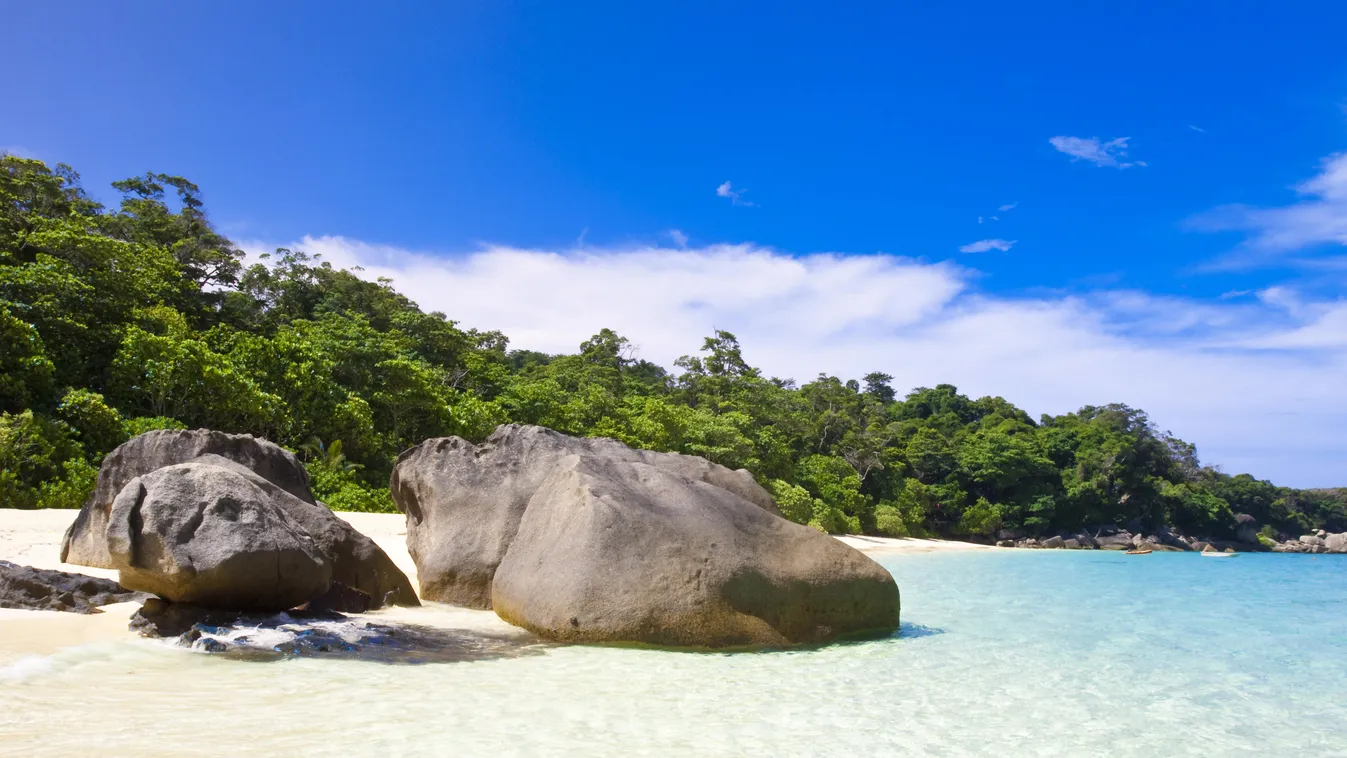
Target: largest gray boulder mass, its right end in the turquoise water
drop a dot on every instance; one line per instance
(591, 541)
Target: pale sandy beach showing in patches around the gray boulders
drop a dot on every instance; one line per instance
(33, 538)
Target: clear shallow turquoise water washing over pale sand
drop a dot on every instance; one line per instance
(1001, 654)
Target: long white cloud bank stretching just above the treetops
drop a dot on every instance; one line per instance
(1255, 384)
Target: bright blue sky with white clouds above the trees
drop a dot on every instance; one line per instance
(1162, 219)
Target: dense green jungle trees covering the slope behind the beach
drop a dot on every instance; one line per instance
(121, 321)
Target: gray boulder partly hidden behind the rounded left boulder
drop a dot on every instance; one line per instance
(84, 543)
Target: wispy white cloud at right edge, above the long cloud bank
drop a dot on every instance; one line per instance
(1318, 219)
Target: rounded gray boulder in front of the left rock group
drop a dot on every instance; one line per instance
(211, 537)
